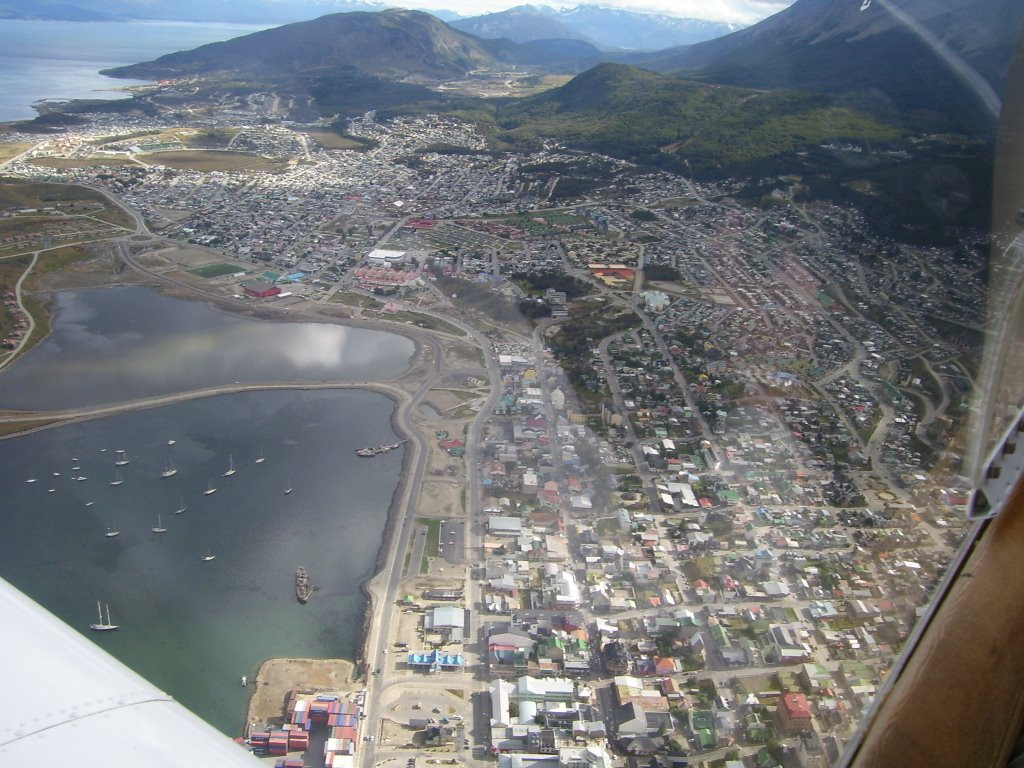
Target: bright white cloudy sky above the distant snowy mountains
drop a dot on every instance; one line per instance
(746, 12)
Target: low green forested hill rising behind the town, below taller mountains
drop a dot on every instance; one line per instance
(681, 124)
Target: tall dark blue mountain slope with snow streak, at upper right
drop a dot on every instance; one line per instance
(941, 62)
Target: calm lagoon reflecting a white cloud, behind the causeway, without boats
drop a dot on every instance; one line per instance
(116, 345)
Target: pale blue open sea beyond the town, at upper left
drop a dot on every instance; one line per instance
(62, 60)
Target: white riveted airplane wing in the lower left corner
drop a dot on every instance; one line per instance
(64, 699)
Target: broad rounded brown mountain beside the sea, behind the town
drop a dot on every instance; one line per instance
(394, 45)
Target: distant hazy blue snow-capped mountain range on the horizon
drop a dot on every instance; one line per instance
(606, 28)
